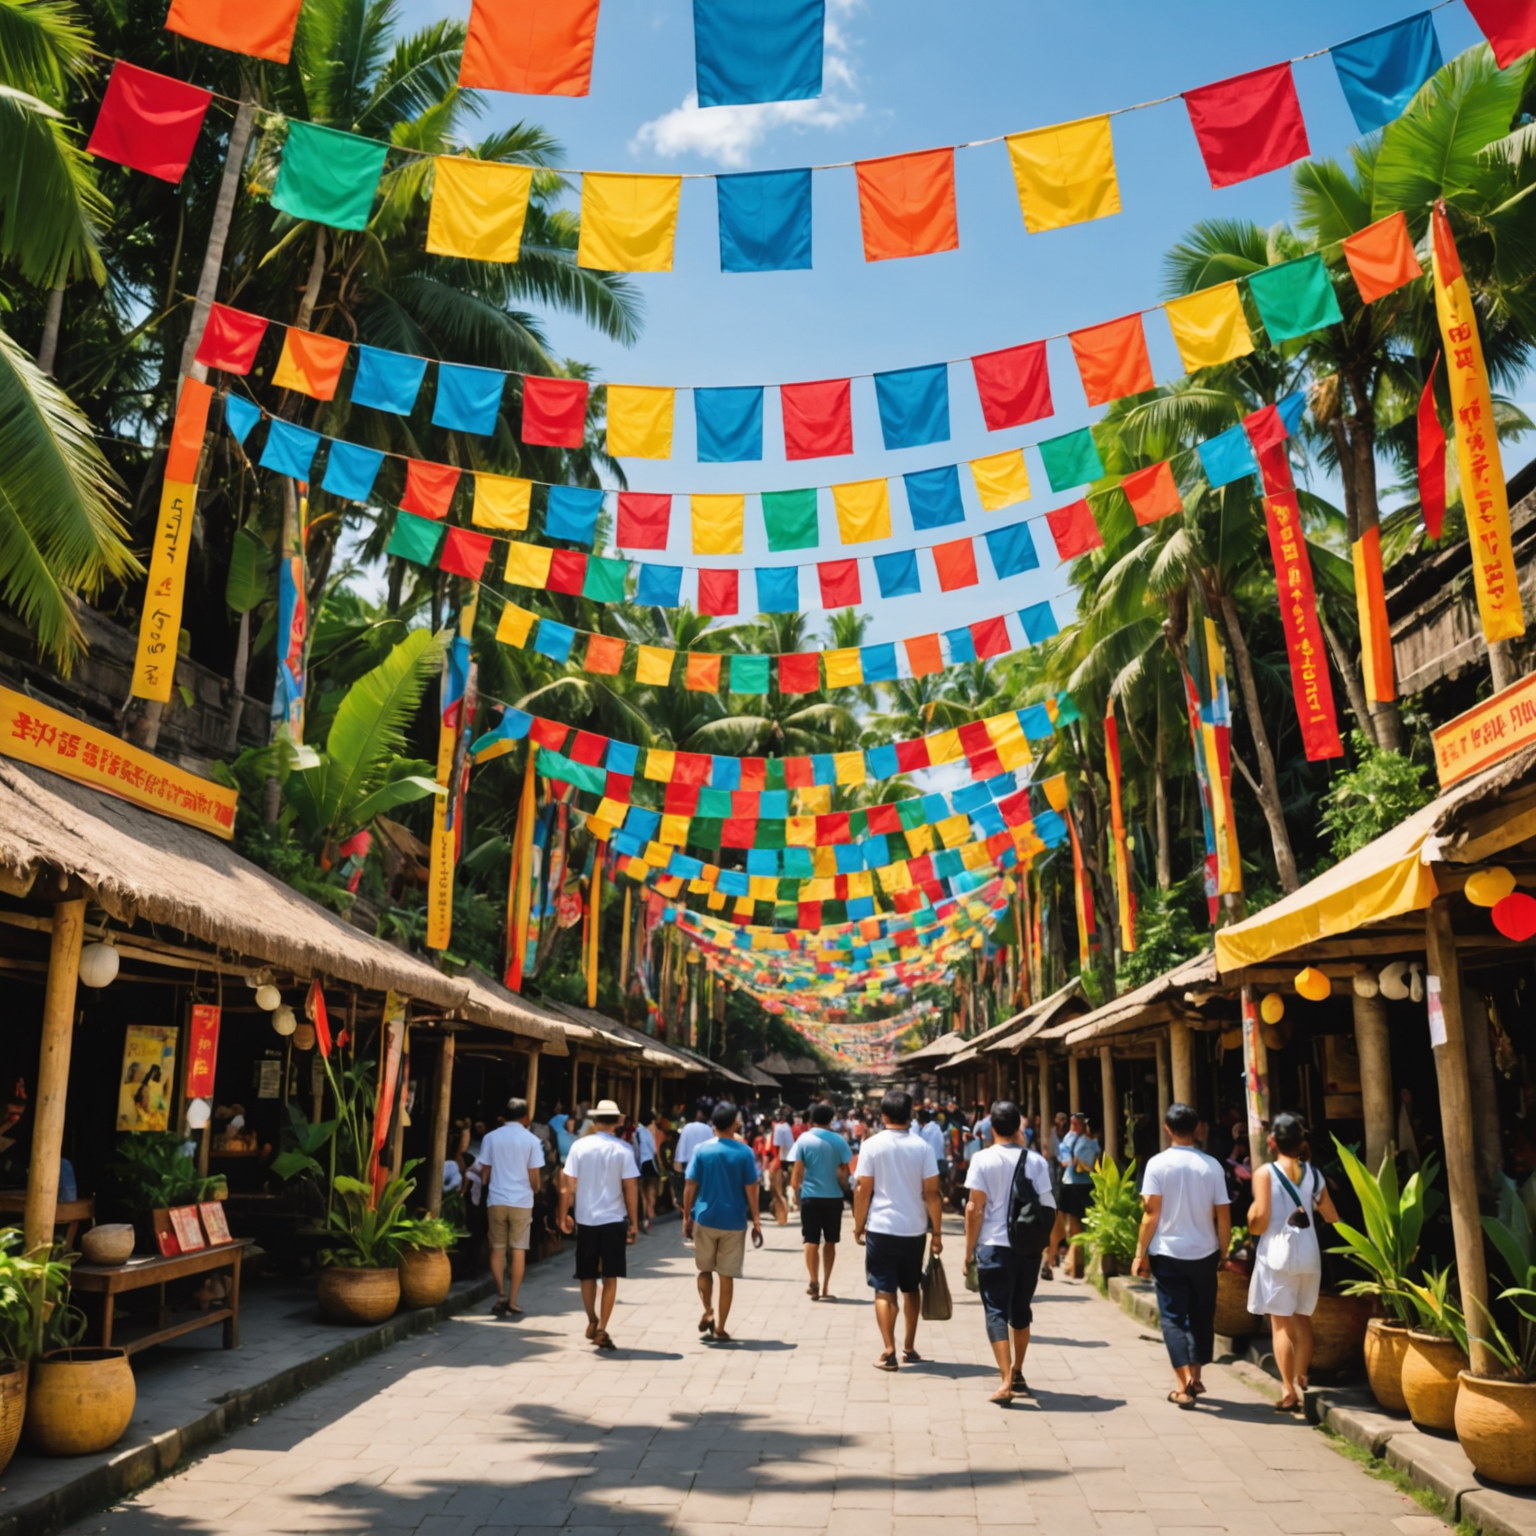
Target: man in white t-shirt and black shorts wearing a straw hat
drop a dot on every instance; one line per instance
(601, 1180)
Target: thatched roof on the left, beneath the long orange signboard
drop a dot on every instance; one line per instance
(139, 866)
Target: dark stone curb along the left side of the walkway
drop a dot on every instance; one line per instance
(161, 1455)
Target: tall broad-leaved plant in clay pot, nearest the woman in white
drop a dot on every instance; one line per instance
(1386, 1251)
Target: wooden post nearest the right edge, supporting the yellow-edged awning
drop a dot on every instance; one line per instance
(1449, 1042)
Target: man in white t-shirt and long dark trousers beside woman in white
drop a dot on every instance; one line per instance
(1182, 1245)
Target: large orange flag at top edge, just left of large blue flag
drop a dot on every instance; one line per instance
(531, 47)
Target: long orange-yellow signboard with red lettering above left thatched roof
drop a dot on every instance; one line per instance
(33, 733)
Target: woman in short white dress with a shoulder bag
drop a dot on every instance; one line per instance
(1289, 1196)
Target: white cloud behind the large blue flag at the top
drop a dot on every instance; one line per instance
(729, 134)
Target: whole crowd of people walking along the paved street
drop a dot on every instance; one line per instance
(892, 1170)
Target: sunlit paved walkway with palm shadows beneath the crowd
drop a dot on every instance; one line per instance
(495, 1428)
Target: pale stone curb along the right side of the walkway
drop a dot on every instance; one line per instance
(1429, 1462)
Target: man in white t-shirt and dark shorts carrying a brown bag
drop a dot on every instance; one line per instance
(896, 1205)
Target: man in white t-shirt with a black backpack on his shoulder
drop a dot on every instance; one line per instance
(1008, 1277)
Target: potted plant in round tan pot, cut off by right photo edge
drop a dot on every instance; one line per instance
(1497, 1415)
